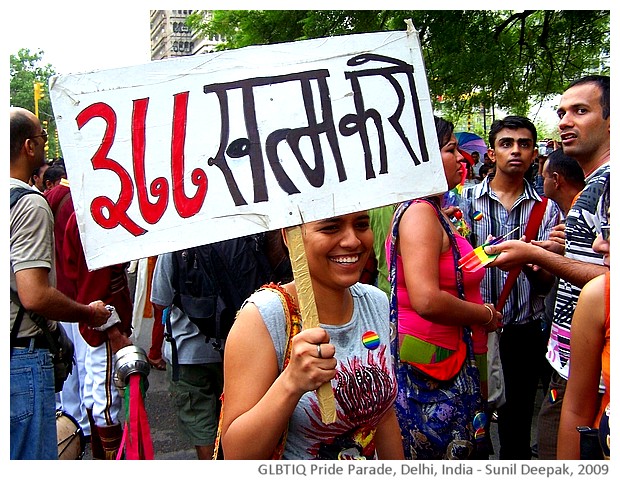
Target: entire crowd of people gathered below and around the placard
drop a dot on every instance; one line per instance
(420, 356)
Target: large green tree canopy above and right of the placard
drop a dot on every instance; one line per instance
(475, 59)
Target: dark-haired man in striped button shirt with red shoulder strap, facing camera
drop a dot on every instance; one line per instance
(506, 201)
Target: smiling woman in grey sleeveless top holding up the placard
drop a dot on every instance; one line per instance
(275, 393)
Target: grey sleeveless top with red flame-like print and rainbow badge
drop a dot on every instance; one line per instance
(364, 386)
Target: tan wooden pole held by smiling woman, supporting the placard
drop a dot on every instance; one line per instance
(309, 314)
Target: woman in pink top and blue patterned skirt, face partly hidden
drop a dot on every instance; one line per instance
(437, 306)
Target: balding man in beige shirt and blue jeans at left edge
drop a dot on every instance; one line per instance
(33, 409)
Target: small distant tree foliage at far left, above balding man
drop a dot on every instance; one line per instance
(25, 70)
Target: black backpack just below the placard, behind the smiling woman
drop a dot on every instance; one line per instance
(211, 282)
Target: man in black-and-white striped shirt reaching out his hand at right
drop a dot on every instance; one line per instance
(584, 113)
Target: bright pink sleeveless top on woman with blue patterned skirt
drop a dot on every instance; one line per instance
(446, 336)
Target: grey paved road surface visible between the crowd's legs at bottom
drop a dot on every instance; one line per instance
(169, 443)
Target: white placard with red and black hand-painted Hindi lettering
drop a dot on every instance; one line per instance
(187, 151)
